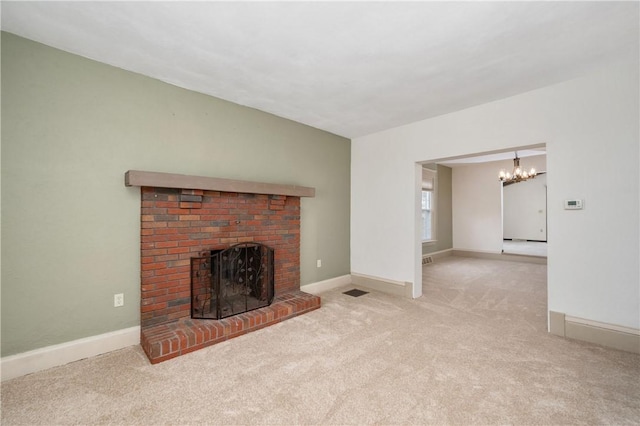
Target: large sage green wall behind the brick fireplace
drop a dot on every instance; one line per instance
(72, 127)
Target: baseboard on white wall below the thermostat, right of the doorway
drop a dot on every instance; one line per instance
(610, 335)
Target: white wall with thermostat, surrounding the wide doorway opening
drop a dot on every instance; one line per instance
(591, 129)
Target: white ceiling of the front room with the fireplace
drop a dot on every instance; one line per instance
(351, 68)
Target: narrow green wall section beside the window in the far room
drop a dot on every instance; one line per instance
(444, 224)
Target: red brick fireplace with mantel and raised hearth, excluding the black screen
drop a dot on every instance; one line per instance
(180, 221)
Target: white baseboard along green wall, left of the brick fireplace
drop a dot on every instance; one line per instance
(64, 353)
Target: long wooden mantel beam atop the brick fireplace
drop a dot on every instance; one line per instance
(172, 180)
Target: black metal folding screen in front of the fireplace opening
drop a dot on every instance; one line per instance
(231, 281)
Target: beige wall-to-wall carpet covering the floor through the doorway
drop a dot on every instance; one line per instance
(472, 350)
